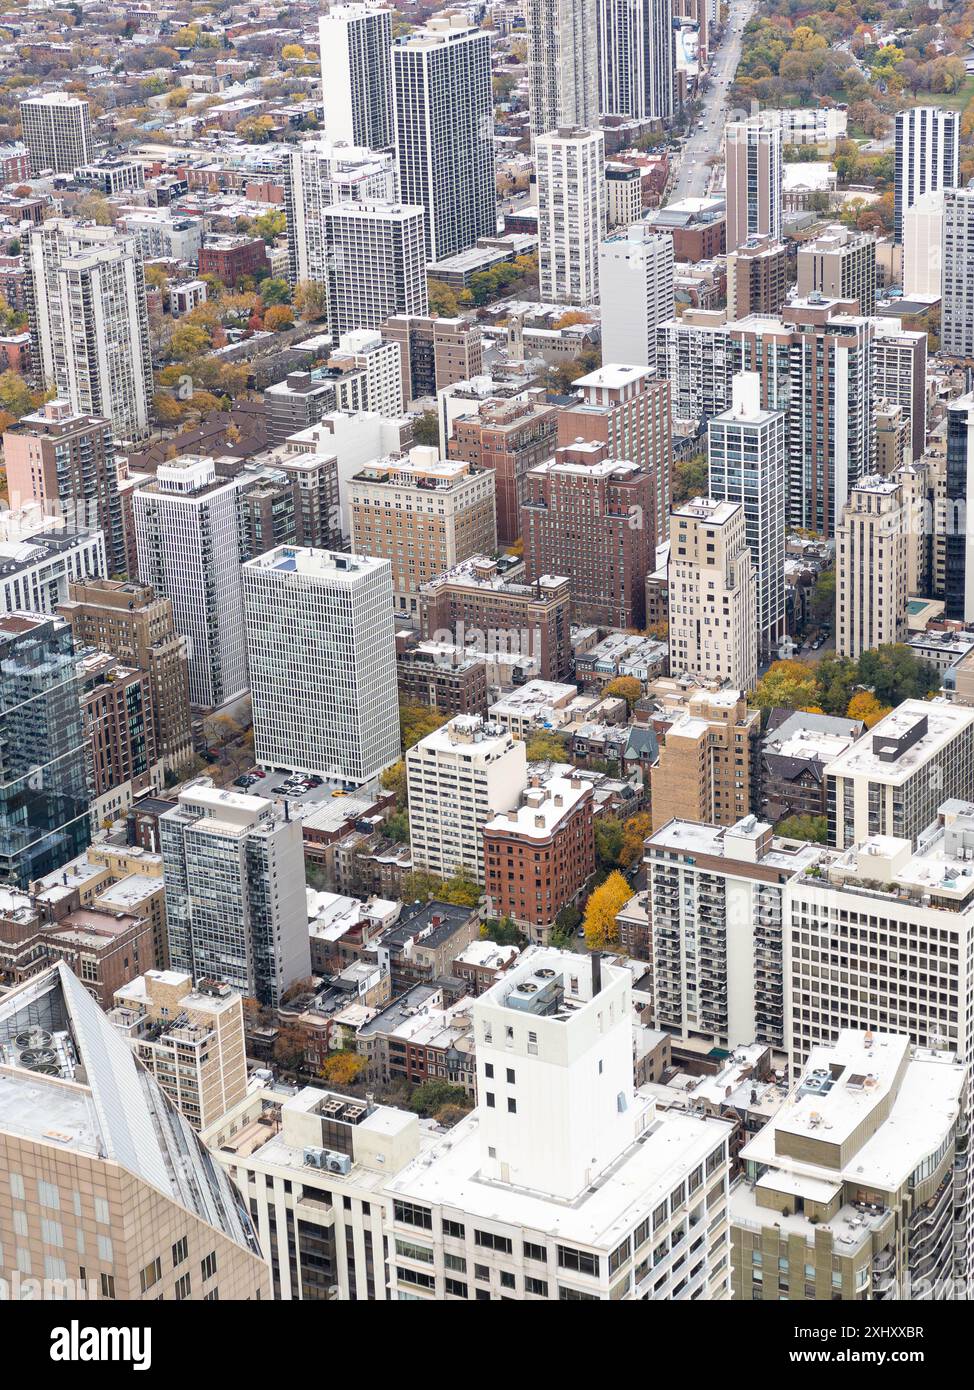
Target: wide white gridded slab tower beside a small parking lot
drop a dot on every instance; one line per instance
(323, 662)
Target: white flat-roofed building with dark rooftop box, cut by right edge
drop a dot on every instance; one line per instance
(894, 779)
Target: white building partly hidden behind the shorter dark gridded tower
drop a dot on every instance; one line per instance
(316, 176)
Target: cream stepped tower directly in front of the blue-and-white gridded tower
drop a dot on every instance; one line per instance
(713, 594)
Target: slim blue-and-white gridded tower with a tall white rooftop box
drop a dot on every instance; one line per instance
(748, 452)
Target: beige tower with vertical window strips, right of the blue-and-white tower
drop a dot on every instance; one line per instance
(872, 571)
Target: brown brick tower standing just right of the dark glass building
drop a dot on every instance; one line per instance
(137, 626)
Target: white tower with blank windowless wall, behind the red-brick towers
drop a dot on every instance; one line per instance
(637, 294)
